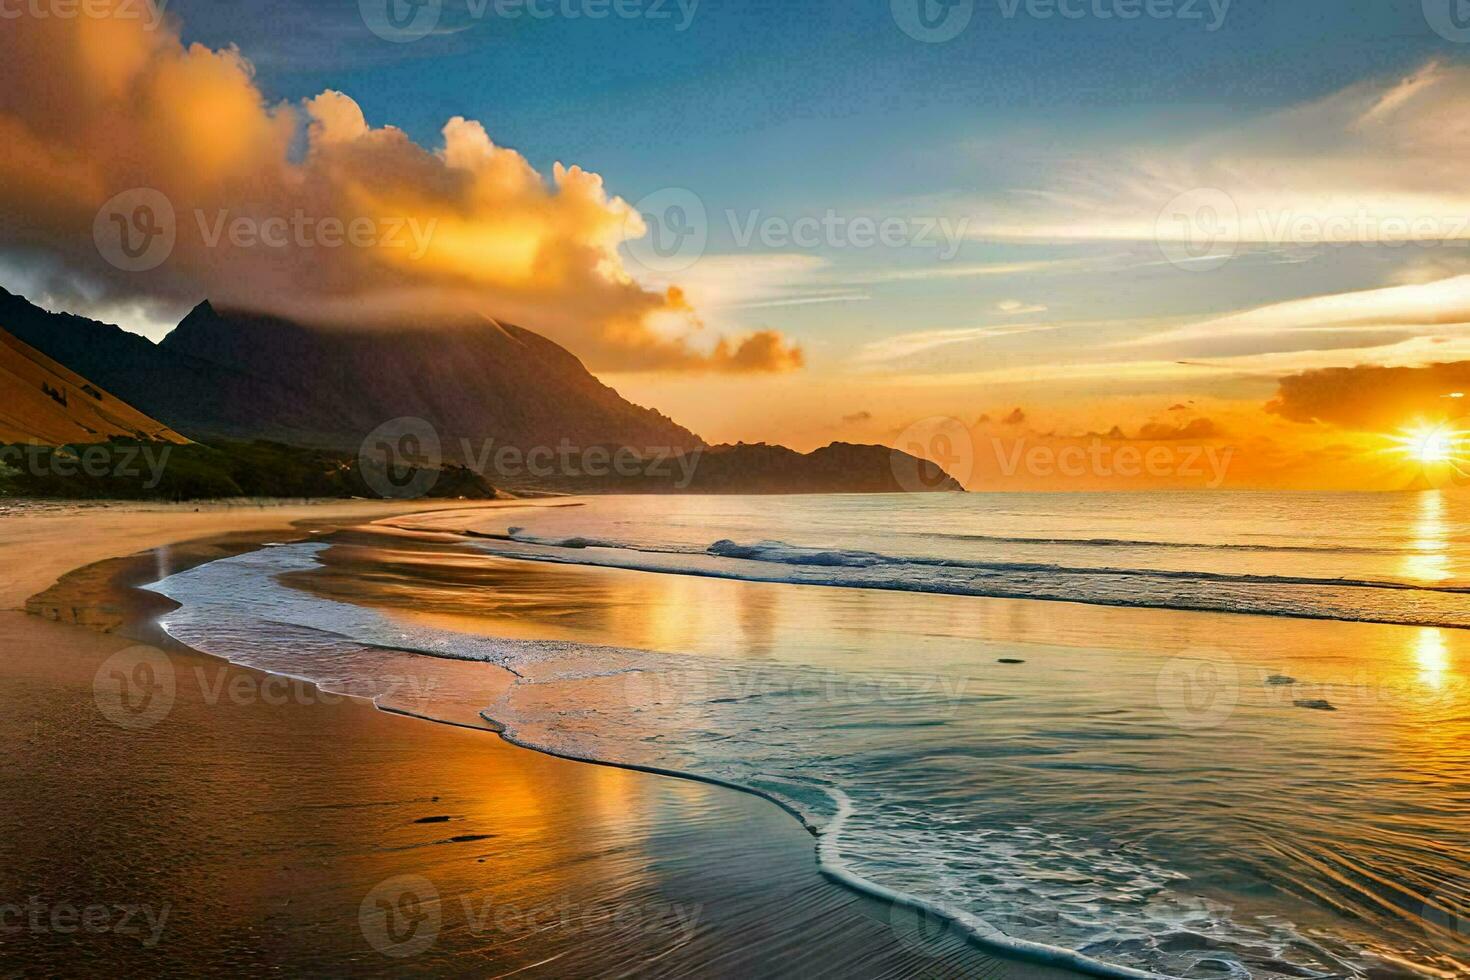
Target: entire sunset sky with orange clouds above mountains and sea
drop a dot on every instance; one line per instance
(1093, 226)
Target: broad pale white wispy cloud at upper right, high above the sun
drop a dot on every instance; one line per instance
(1378, 162)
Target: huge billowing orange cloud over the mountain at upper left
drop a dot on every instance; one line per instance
(308, 211)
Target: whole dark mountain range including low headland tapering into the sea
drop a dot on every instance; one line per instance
(483, 387)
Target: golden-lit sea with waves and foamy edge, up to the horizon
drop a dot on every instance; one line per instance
(1190, 735)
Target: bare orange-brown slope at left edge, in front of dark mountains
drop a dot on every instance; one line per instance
(45, 403)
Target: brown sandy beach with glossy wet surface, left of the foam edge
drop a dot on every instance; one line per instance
(265, 826)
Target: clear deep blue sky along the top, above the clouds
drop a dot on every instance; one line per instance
(815, 93)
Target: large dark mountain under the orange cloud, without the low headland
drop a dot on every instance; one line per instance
(248, 377)
